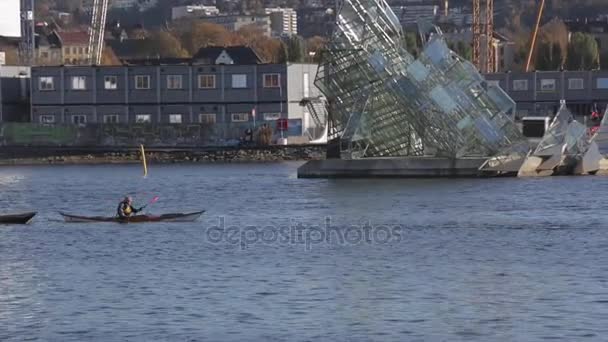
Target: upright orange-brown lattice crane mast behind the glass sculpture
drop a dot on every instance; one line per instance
(487, 62)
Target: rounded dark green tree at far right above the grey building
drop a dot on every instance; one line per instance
(583, 52)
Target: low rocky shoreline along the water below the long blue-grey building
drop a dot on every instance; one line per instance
(167, 156)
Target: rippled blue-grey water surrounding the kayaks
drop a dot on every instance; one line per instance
(276, 258)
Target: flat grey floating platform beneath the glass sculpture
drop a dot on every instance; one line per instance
(406, 167)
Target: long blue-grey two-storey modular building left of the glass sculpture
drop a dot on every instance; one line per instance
(229, 95)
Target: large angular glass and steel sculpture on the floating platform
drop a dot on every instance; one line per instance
(384, 102)
